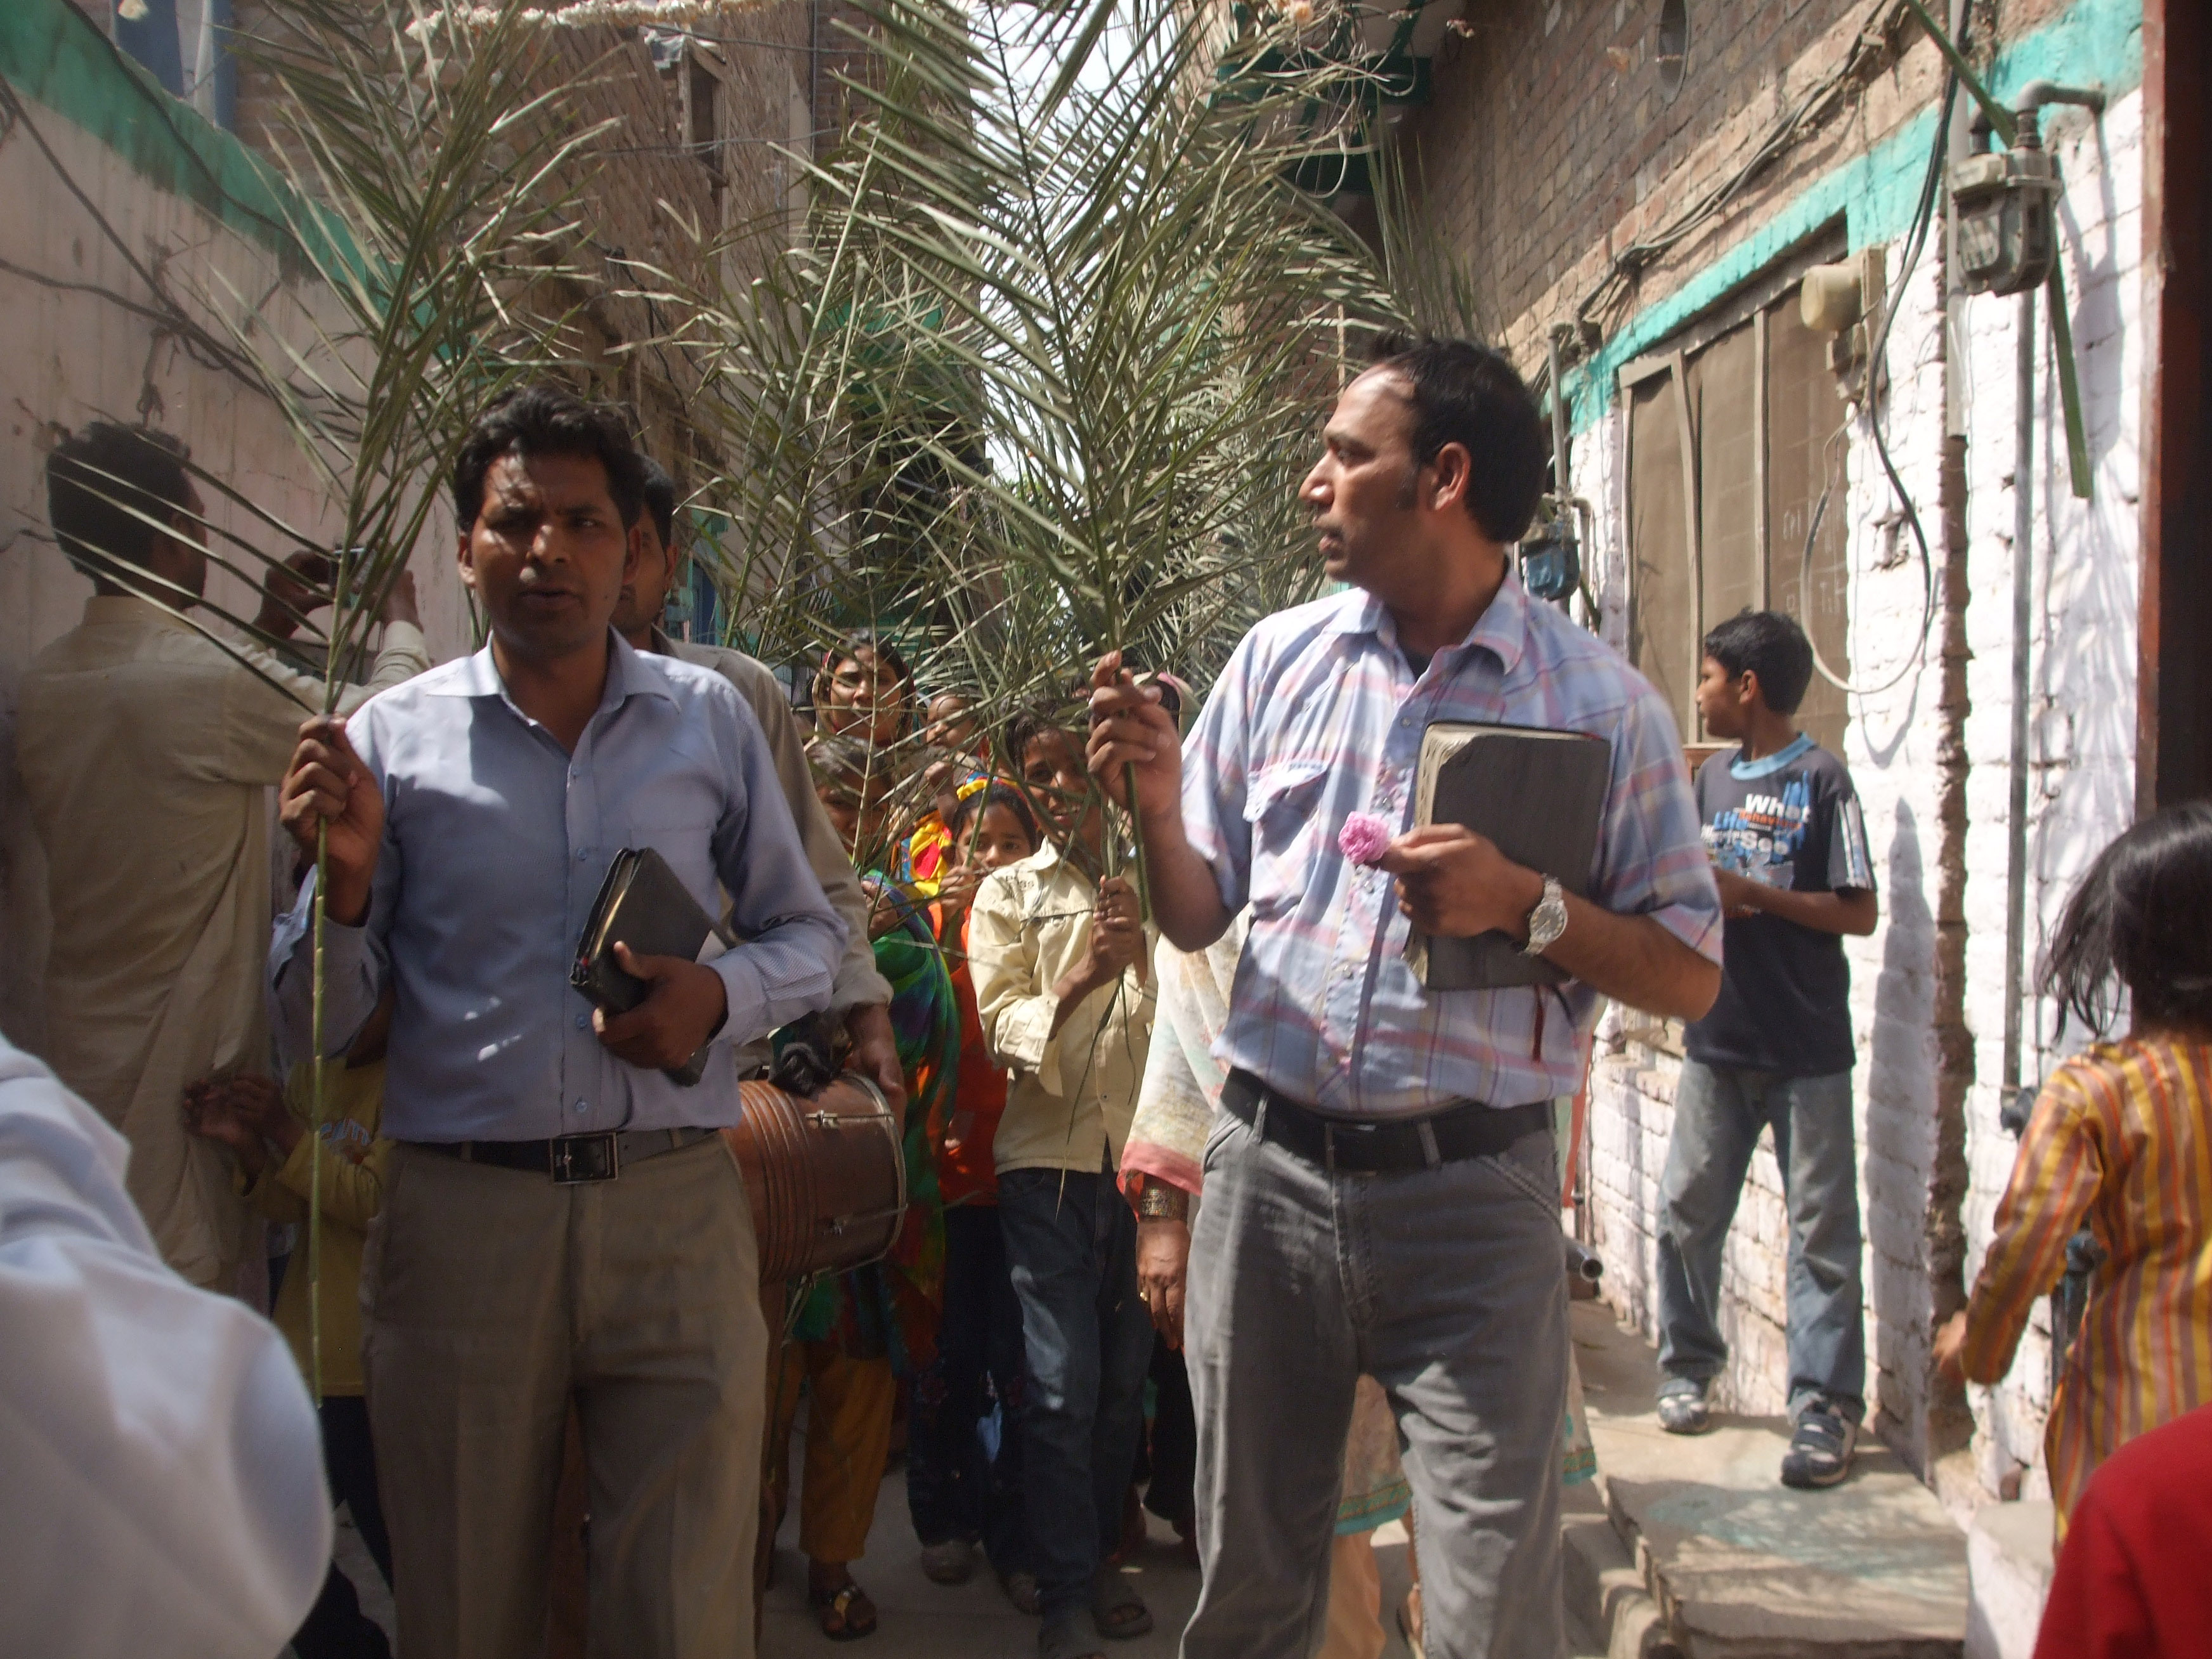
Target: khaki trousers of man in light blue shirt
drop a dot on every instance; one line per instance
(492, 1302)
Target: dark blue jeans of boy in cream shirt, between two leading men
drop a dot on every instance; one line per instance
(1087, 1342)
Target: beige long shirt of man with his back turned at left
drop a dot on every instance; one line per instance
(147, 758)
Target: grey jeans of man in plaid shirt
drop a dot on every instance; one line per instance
(1448, 1286)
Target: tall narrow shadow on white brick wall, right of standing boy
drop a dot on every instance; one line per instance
(1899, 1145)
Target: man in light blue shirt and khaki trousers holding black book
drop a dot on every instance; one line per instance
(561, 1218)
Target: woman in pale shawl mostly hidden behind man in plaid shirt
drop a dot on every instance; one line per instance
(1167, 1142)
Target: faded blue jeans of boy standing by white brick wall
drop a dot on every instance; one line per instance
(1718, 1118)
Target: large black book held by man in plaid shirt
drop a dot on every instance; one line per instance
(1536, 793)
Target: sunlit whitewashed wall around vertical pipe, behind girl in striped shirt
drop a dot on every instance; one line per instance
(2085, 662)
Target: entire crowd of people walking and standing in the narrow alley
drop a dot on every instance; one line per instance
(1215, 1211)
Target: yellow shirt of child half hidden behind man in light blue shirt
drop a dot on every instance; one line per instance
(353, 1193)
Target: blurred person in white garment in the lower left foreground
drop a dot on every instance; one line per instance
(160, 1472)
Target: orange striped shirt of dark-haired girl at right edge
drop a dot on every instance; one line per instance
(2122, 1145)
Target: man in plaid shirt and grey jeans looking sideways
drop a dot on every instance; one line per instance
(1381, 1189)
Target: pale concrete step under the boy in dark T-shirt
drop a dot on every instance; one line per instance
(1731, 1561)
